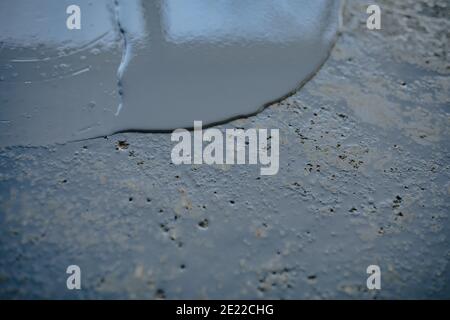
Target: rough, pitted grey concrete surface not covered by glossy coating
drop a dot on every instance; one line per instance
(364, 179)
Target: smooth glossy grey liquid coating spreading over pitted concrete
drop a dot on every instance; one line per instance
(152, 65)
